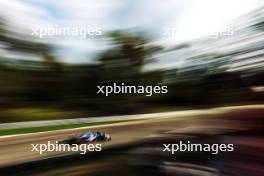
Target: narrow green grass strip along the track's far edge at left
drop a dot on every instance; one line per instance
(53, 127)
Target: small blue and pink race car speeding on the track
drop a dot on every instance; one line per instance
(87, 138)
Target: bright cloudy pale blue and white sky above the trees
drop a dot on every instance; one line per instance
(190, 19)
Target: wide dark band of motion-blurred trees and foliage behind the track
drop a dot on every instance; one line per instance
(48, 89)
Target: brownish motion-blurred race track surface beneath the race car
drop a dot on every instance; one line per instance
(15, 150)
